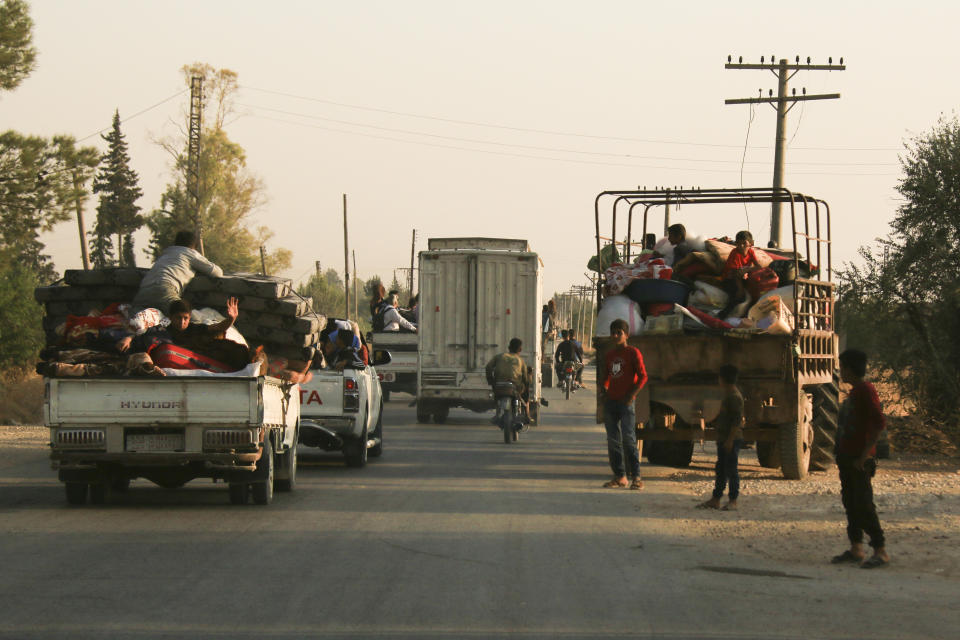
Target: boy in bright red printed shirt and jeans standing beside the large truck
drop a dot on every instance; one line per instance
(622, 377)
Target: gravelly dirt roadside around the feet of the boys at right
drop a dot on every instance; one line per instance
(918, 499)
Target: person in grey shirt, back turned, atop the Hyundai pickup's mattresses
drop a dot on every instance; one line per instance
(173, 270)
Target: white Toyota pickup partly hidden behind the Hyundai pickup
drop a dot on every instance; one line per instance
(343, 411)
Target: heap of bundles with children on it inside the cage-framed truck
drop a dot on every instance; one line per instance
(716, 285)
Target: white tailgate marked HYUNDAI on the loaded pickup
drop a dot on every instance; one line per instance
(152, 401)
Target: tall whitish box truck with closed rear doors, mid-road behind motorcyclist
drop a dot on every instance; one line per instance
(475, 295)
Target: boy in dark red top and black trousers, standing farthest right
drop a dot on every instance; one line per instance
(860, 424)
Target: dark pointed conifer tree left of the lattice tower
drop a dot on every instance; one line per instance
(118, 212)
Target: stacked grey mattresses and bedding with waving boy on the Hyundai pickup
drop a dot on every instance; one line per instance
(92, 328)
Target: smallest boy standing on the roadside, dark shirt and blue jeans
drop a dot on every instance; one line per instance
(729, 425)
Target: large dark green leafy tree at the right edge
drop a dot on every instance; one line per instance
(903, 302)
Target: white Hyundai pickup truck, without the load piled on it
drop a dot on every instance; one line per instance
(106, 431)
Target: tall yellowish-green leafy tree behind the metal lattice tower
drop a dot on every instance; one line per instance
(229, 192)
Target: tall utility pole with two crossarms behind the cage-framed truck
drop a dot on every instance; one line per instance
(784, 72)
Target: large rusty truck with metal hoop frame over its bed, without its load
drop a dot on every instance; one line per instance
(789, 382)
